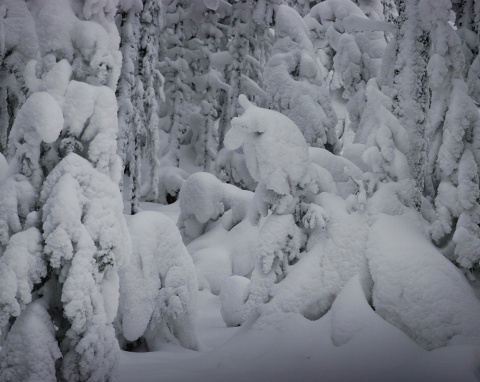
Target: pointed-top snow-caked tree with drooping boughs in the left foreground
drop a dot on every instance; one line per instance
(86, 240)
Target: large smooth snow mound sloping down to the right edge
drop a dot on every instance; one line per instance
(415, 287)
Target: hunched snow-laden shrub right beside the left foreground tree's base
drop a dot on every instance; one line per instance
(158, 288)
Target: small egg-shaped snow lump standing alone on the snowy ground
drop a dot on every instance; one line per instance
(233, 296)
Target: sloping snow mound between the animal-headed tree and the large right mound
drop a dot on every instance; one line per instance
(334, 255)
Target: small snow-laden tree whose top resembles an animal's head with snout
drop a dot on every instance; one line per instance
(278, 158)
